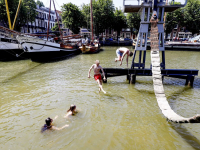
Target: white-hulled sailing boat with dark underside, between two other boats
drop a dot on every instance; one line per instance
(45, 50)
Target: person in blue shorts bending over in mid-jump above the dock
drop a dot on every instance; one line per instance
(121, 52)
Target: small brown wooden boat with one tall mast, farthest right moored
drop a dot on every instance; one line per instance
(93, 47)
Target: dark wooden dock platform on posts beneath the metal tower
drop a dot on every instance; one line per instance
(187, 74)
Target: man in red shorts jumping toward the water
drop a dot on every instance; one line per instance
(97, 74)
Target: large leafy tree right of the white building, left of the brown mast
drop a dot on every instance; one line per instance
(72, 17)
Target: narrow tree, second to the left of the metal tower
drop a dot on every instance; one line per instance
(119, 21)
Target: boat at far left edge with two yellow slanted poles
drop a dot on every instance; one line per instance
(10, 48)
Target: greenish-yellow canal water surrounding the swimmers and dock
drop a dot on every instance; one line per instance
(127, 117)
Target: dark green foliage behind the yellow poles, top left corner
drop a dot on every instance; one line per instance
(27, 12)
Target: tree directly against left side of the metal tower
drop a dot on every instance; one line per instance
(133, 21)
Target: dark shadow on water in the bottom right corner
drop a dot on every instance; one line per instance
(186, 135)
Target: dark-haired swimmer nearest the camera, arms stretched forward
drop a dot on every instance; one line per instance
(49, 125)
